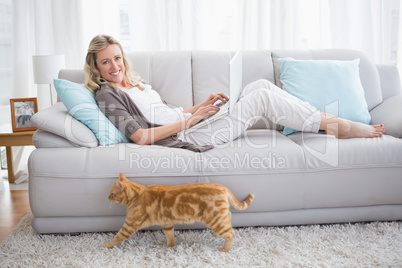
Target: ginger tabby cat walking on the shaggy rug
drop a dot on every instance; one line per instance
(167, 205)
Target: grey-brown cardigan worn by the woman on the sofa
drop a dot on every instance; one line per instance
(125, 115)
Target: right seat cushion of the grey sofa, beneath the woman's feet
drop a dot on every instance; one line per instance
(325, 151)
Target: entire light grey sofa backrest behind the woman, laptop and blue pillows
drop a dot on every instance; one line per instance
(185, 78)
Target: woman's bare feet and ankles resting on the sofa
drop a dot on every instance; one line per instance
(345, 129)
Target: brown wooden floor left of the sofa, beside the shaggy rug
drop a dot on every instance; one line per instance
(13, 206)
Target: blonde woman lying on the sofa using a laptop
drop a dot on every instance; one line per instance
(141, 115)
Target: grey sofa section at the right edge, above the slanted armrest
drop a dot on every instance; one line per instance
(390, 81)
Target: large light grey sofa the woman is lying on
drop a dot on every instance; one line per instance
(297, 179)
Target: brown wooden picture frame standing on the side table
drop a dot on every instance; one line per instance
(22, 109)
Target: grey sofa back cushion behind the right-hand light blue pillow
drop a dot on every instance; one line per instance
(368, 71)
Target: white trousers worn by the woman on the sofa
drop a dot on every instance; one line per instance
(260, 100)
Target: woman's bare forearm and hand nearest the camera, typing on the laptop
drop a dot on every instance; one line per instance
(151, 135)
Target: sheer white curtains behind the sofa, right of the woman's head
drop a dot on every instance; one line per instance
(367, 25)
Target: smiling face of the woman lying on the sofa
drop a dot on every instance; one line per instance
(110, 64)
